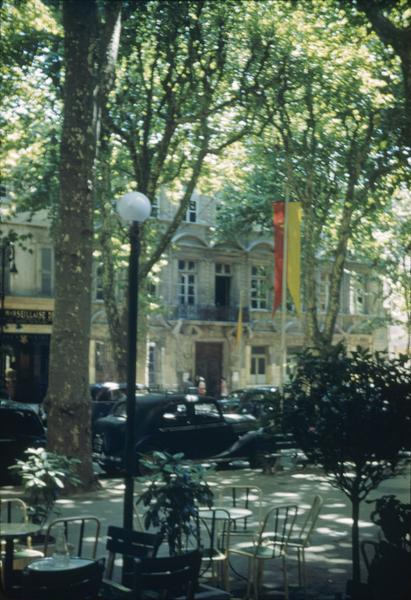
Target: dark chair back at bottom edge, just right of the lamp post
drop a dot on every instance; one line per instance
(168, 576)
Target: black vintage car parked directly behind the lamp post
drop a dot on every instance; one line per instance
(184, 423)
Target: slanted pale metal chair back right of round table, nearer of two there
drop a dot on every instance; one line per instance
(276, 530)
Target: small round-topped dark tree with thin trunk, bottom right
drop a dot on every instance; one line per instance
(352, 416)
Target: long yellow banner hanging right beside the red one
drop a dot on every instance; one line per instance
(294, 252)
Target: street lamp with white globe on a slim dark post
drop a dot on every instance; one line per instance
(135, 208)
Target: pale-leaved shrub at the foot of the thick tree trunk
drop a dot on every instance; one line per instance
(44, 475)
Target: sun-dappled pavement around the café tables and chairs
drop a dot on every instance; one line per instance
(328, 560)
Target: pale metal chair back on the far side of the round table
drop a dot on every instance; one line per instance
(241, 496)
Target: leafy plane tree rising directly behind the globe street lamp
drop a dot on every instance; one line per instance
(185, 92)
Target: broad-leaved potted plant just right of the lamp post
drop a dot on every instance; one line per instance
(174, 491)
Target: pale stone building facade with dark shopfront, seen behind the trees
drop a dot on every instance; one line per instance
(215, 308)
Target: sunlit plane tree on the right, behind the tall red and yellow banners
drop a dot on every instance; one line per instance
(334, 144)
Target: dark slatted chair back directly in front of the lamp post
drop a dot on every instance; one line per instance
(138, 544)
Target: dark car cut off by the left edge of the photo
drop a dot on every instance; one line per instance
(20, 428)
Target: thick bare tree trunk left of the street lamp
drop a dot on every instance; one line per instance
(68, 398)
